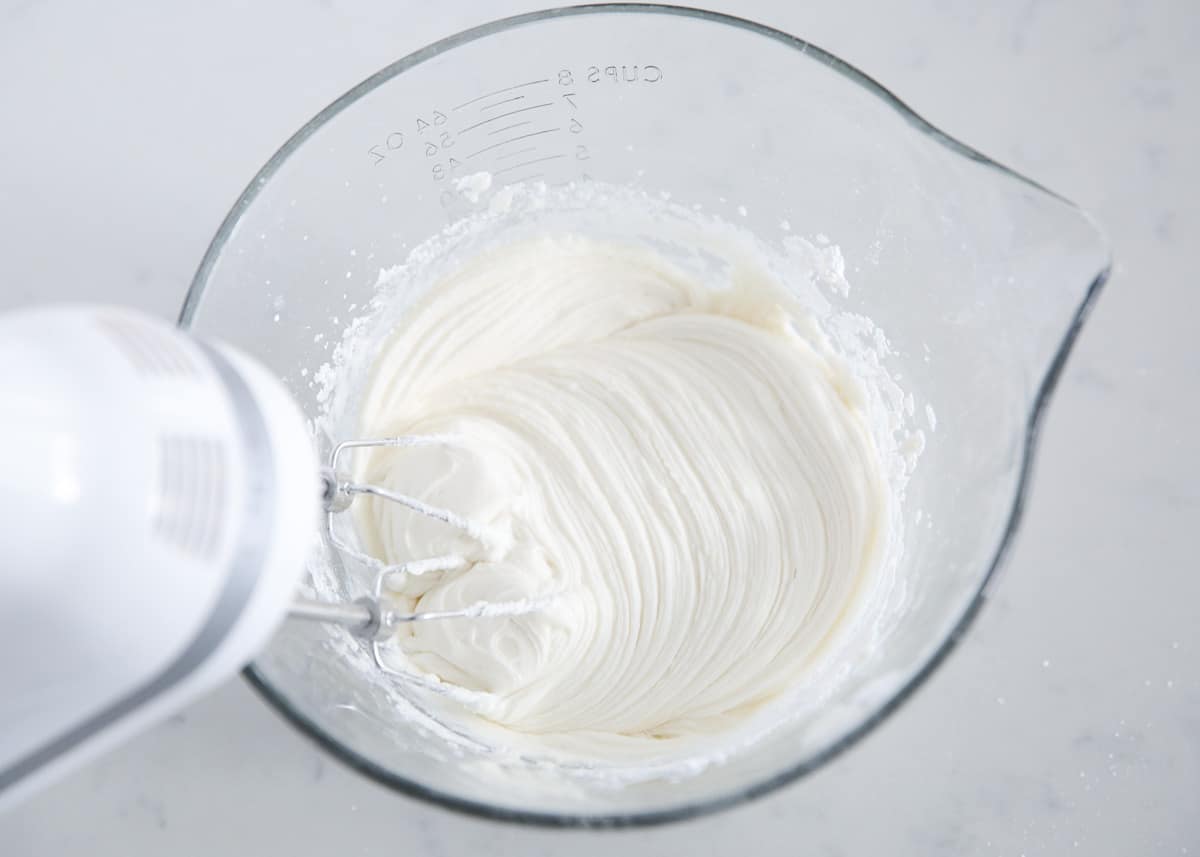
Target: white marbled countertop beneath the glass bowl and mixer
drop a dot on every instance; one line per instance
(1070, 718)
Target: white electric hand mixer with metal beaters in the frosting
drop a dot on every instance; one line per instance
(159, 504)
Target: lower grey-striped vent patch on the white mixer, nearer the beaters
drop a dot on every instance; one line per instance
(193, 486)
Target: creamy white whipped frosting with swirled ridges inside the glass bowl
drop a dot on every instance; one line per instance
(681, 478)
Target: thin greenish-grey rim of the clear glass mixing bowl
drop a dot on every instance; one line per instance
(280, 702)
